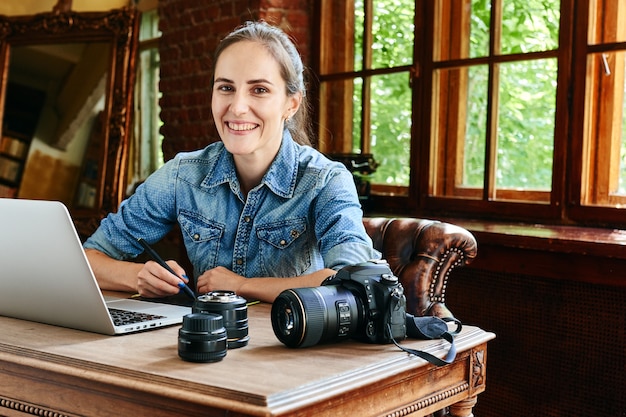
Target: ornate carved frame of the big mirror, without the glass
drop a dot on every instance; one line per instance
(119, 28)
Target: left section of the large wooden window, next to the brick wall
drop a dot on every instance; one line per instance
(366, 87)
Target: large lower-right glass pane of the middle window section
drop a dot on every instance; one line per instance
(526, 125)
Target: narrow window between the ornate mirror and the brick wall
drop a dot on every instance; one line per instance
(145, 154)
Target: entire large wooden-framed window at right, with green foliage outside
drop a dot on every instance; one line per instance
(504, 108)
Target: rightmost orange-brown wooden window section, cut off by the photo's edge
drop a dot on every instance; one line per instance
(604, 113)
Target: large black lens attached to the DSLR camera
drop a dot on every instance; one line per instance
(303, 317)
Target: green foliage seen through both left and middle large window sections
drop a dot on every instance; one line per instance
(527, 93)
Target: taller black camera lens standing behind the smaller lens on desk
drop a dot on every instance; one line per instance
(234, 311)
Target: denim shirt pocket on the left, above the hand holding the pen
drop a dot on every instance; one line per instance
(202, 240)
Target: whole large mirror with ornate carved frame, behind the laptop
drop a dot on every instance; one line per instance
(66, 96)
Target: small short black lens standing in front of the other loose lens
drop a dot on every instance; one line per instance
(202, 338)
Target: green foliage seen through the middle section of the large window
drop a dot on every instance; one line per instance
(527, 96)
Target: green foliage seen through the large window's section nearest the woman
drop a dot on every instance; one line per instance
(392, 45)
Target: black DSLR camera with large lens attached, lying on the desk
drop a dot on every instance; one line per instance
(364, 301)
